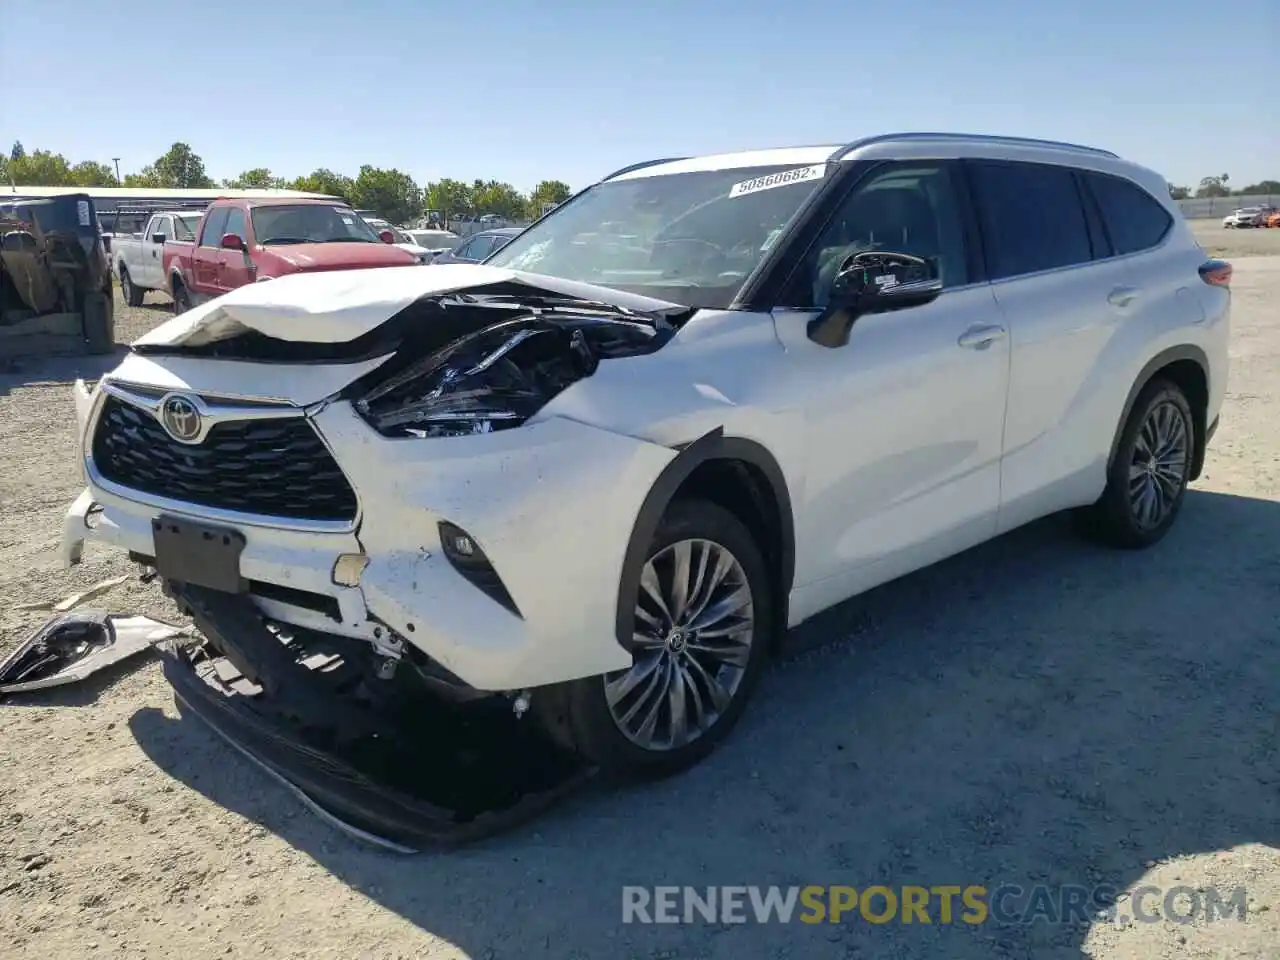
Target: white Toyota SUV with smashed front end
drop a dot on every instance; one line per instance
(602, 474)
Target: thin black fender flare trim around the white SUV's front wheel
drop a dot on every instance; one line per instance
(708, 447)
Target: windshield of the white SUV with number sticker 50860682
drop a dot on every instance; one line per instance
(691, 239)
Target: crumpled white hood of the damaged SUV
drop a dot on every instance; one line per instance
(344, 305)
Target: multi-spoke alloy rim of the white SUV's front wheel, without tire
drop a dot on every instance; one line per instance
(694, 628)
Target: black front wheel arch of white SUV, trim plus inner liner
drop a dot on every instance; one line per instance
(760, 481)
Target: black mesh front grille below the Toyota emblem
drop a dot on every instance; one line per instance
(276, 468)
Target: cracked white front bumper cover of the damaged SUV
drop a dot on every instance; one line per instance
(552, 505)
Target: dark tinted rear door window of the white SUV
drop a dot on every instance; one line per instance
(1032, 217)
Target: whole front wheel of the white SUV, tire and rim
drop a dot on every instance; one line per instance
(705, 616)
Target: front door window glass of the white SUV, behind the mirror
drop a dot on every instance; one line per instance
(906, 209)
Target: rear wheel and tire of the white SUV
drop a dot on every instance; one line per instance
(1149, 477)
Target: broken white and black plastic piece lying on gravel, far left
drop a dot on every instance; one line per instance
(71, 647)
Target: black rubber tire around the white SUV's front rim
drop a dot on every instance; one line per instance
(597, 735)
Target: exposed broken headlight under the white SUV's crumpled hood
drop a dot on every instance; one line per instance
(488, 381)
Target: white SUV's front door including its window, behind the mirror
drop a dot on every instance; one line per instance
(906, 422)
